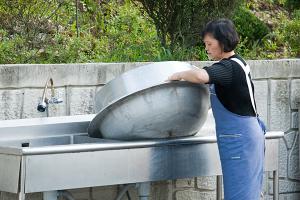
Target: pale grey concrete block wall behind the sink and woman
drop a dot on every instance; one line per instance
(277, 90)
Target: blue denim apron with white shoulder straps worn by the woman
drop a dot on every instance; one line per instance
(241, 147)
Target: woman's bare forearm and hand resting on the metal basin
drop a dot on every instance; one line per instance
(193, 75)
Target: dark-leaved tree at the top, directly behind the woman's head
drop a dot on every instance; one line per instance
(179, 22)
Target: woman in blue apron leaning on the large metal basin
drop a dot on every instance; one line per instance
(240, 133)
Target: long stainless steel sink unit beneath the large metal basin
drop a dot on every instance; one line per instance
(48, 154)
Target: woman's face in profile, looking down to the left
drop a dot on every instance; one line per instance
(212, 47)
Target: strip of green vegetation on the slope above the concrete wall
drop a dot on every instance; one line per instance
(69, 31)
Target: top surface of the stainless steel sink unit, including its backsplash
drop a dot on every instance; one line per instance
(75, 128)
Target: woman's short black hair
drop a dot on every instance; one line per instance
(224, 31)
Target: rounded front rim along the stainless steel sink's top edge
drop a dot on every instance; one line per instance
(114, 145)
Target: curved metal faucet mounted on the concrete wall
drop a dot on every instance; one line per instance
(43, 103)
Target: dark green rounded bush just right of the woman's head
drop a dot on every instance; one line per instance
(249, 26)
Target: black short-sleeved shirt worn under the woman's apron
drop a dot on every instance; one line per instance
(231, 86)
